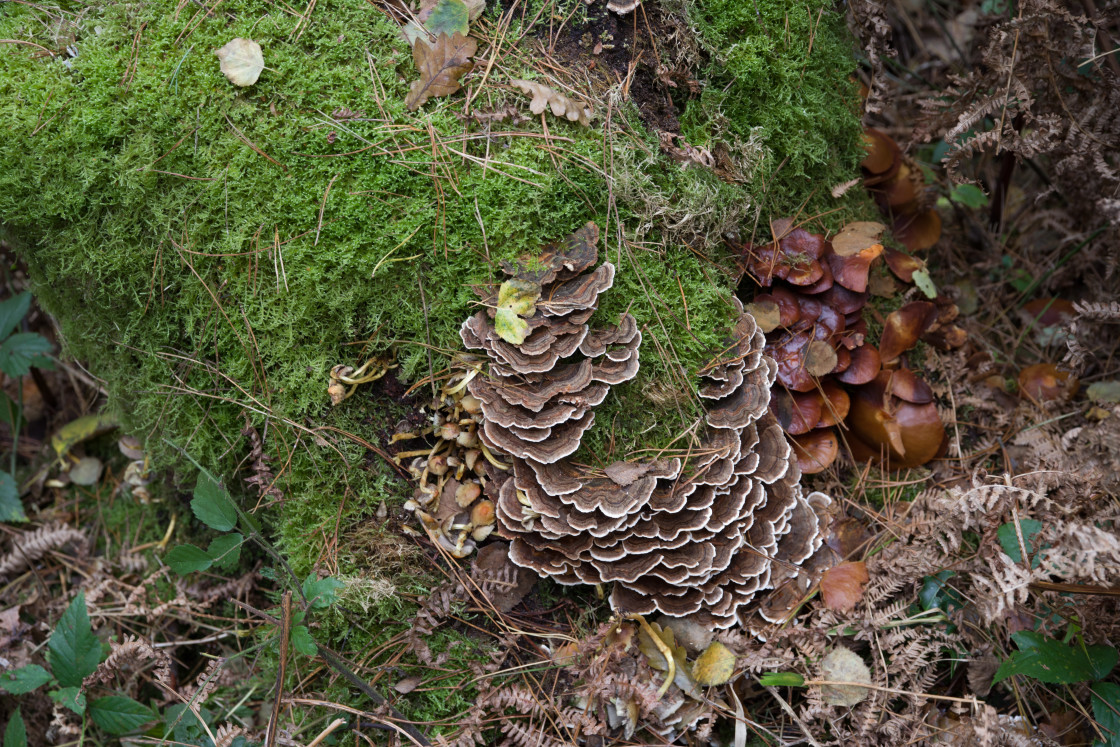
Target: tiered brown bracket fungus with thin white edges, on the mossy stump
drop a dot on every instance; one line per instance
(699, 535)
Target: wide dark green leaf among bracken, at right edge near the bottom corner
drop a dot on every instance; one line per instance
(1056, 664)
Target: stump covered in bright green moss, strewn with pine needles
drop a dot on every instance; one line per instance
(213, 251)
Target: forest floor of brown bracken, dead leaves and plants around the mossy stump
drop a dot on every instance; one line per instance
(983, 603)
